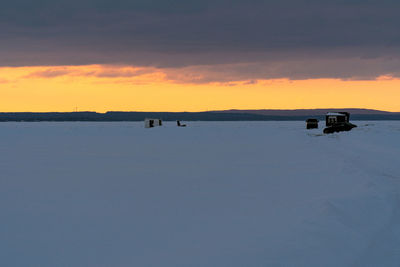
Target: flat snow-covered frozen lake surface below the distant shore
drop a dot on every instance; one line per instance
(211, 194)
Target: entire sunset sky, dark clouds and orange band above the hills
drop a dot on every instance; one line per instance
(185, 55)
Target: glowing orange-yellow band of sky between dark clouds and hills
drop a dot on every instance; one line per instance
(118, 88)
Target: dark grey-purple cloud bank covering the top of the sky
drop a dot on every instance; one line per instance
(259, 39)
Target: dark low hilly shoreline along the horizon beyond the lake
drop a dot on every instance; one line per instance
(224, 115)
